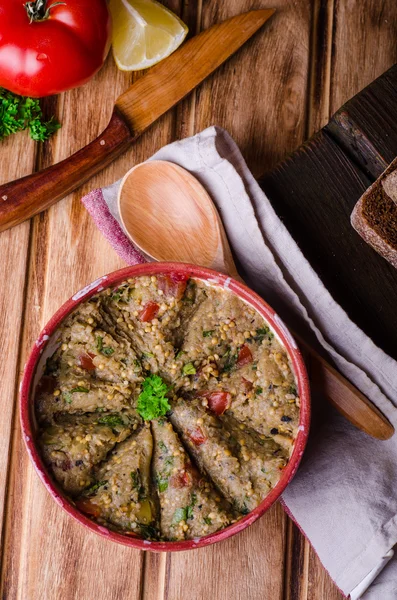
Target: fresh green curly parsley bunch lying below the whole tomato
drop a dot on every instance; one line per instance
(19, 112)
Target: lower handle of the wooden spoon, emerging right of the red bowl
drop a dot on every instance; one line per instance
(345, 397)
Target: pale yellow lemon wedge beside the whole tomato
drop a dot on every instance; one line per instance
(144, 32)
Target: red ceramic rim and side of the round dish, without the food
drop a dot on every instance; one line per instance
(45, 345)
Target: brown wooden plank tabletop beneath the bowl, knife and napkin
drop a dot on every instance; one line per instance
(283, 86)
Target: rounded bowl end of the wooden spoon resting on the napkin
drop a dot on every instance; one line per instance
(167, 213)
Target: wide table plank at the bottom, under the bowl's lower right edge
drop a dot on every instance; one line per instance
(248, 565)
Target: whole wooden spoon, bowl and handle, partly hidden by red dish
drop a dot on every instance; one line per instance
(168, 215)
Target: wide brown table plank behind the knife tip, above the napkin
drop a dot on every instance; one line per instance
(259, 95)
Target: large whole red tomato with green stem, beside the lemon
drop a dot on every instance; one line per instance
(49, 49)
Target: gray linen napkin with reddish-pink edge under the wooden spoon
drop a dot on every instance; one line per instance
(343, 496)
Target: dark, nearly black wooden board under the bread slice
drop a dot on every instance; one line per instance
(314, 191)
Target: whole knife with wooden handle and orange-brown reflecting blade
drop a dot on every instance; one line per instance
(135, 110)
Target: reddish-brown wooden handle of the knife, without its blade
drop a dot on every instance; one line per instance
(25, 197)
